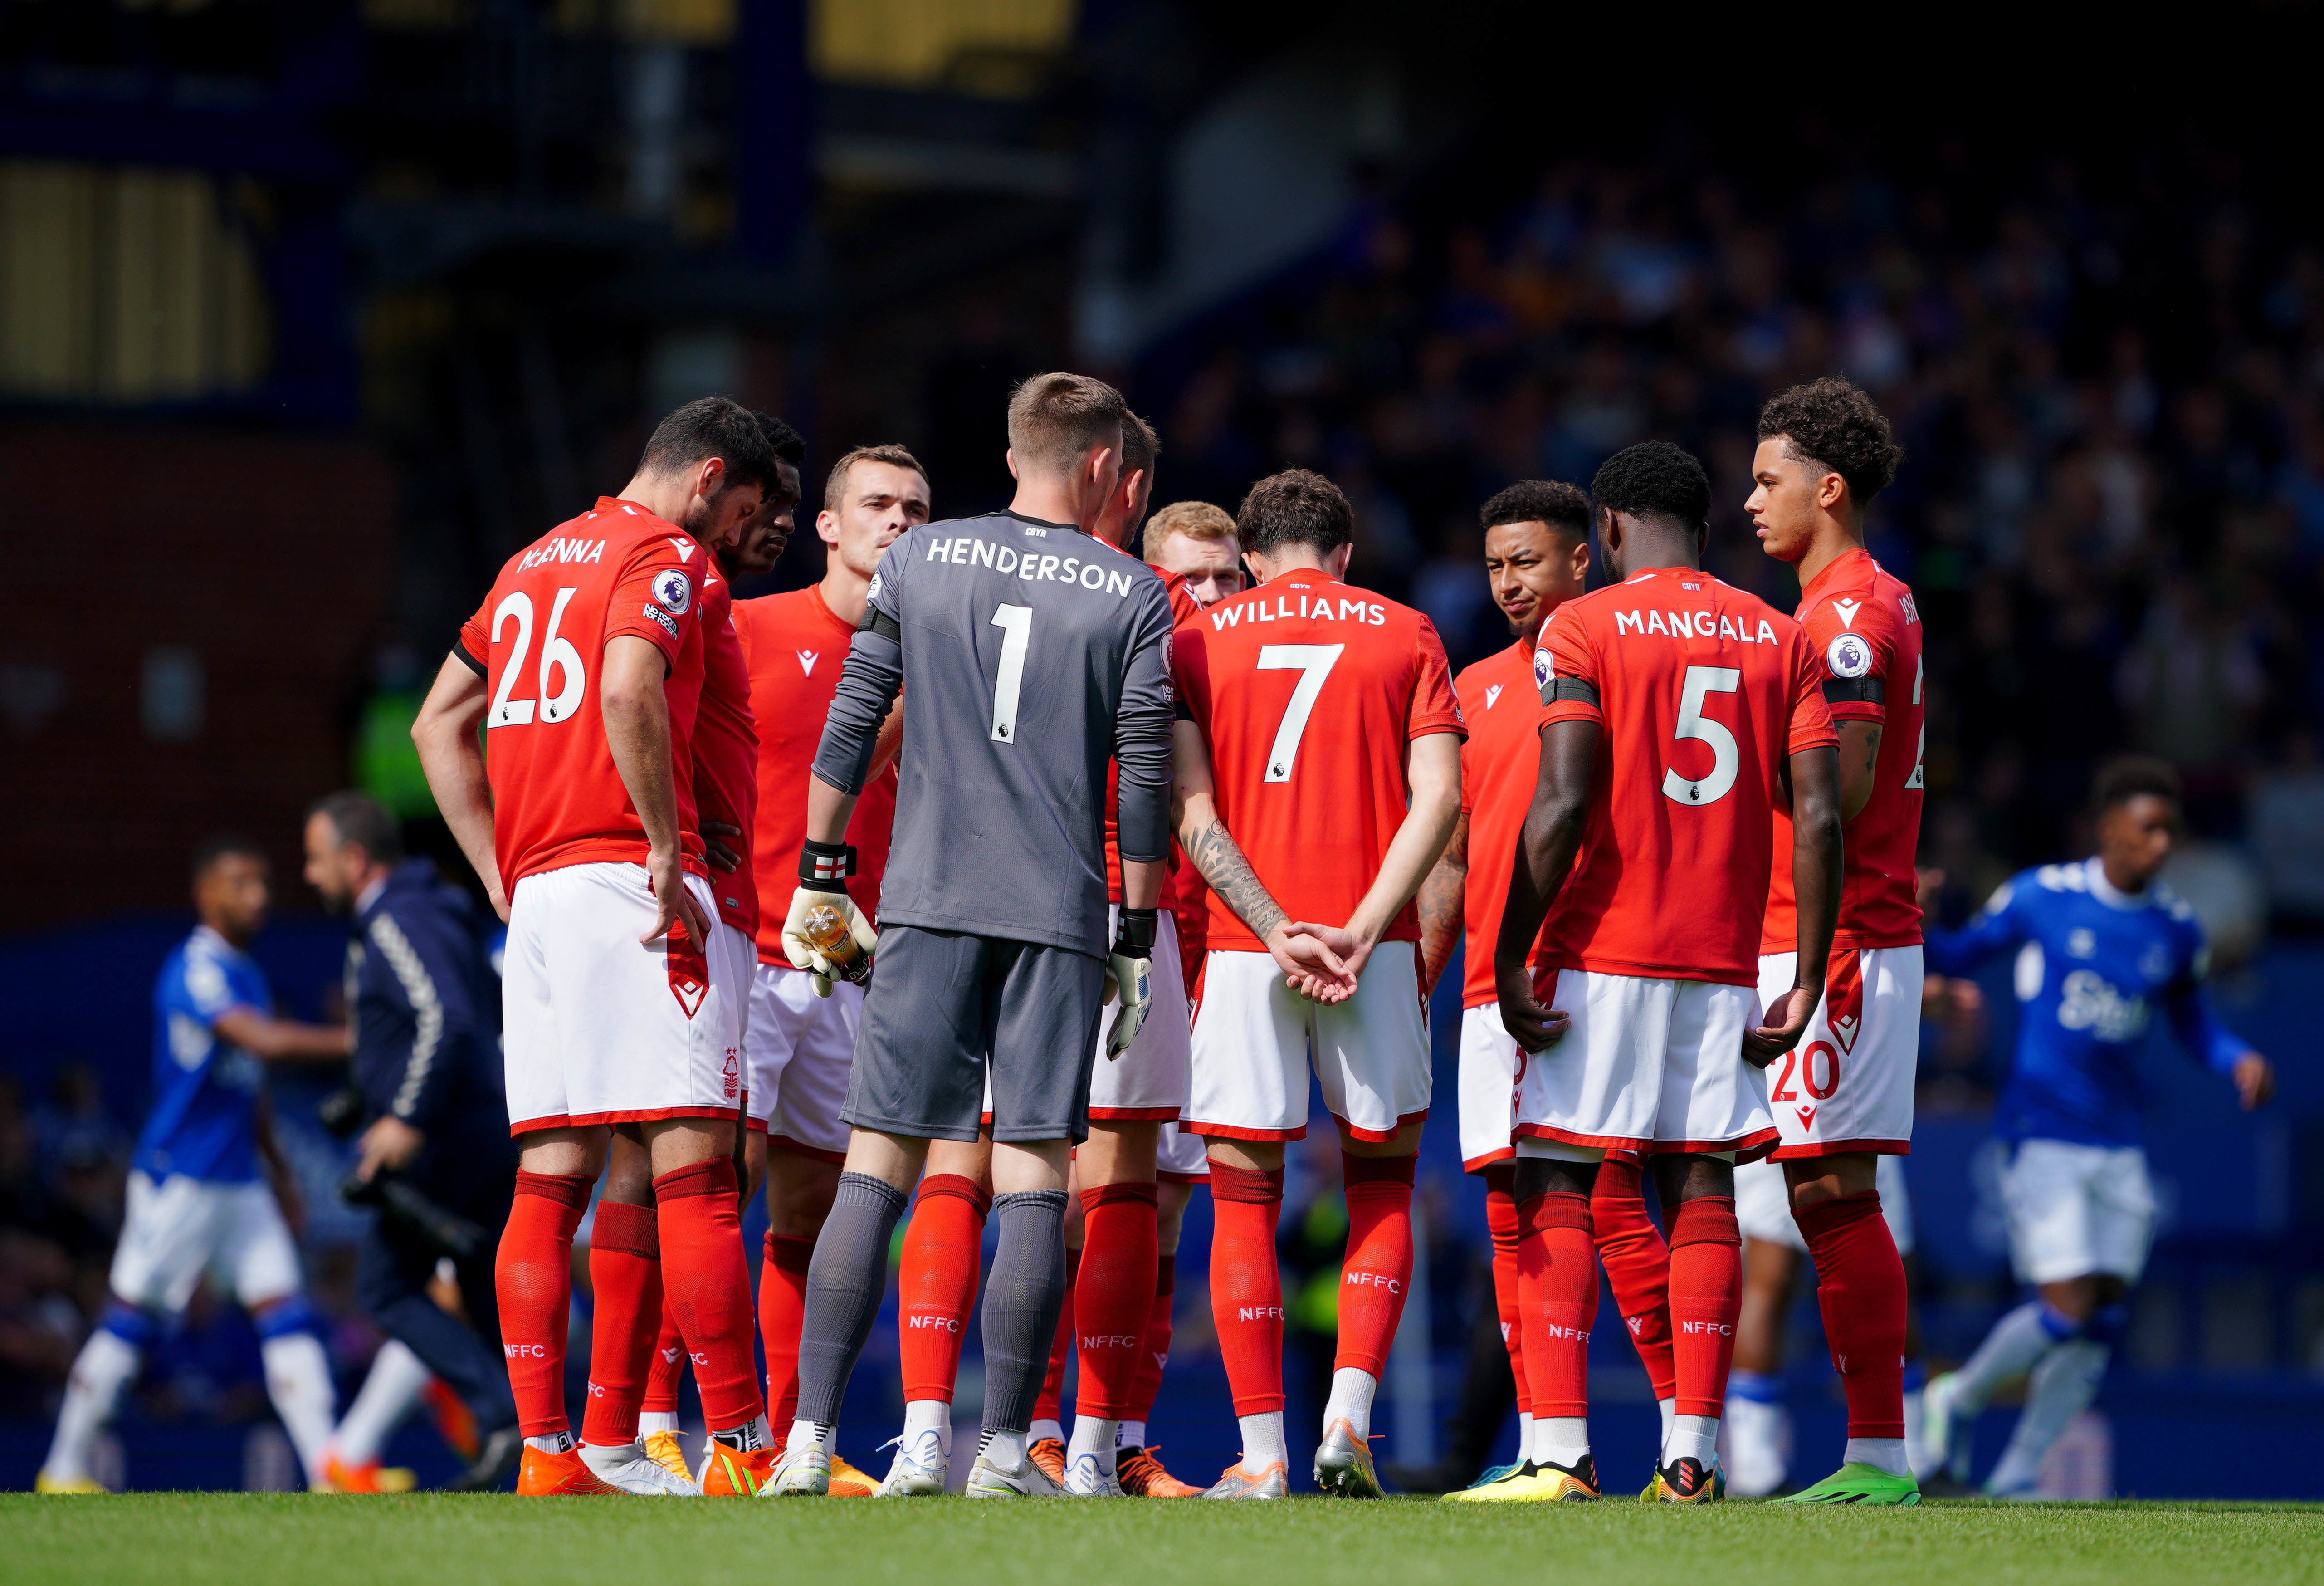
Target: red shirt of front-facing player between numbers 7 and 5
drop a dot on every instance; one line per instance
(1498, 771)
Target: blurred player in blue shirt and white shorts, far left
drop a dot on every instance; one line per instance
(196, 1201)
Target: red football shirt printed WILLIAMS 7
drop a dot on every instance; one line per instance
(1307, 694)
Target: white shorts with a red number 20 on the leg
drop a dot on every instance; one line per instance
(1849, 1085)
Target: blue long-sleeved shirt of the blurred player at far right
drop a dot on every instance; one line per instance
(2093, 962)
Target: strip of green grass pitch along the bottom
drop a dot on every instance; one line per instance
(443, 1541)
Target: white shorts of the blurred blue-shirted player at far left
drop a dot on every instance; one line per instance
(180, 1229)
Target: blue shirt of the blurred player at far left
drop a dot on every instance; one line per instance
(206, 1092)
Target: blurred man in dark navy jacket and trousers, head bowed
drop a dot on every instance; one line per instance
(426, 1062)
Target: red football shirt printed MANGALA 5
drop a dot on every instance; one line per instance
(1702, 694)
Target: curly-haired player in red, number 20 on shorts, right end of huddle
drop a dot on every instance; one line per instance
(1844, 1099)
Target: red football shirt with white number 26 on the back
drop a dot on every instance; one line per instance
(538, 641)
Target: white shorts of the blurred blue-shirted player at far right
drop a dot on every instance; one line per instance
(2076, 1210)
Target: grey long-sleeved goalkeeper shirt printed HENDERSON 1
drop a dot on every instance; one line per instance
(1031, 655)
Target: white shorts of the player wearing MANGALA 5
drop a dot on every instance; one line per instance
(1649, 1066)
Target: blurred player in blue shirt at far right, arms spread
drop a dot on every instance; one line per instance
(2100, 950)
